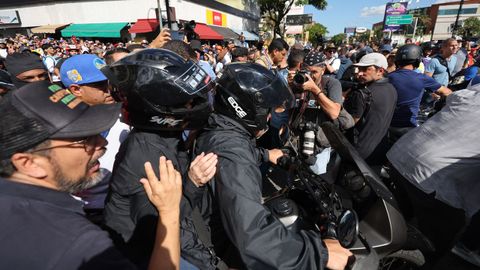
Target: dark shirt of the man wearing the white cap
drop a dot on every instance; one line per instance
(372, 129)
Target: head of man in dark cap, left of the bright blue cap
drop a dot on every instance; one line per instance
(25, 68)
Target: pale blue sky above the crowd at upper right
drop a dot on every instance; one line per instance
(348, 13)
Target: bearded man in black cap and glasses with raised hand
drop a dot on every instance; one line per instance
(49, 148)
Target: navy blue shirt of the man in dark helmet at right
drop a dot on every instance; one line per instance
(410, 86)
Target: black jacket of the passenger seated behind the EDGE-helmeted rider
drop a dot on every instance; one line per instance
(128, 212)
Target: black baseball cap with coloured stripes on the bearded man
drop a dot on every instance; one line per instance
(41, 110)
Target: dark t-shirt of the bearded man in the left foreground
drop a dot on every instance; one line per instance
(43, 228)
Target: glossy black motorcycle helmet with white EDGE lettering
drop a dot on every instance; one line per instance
(248, 92)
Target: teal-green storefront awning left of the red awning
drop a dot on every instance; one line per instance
(106, 30)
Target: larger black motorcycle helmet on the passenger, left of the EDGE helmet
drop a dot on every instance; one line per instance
(161, 90)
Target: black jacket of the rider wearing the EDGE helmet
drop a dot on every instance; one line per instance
(261, 239)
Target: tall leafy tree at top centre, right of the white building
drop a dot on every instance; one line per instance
(276, 10)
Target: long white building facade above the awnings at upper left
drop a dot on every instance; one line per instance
(239, 15)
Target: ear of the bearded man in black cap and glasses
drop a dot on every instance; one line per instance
(29, 165)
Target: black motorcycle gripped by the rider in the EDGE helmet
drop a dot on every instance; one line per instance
(349, 203)
